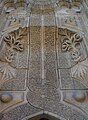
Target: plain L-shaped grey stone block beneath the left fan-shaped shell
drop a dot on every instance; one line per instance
(17, 83)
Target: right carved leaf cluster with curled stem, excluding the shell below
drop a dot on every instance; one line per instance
(71, 43)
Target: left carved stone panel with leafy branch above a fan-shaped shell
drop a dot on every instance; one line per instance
(13, 57)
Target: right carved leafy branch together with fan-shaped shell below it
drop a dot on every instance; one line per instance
(72, 44)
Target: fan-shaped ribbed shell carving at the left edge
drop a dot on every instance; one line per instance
(7, 71)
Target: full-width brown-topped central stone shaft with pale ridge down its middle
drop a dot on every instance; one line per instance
(42, 60)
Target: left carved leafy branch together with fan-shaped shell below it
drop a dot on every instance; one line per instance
(13, 42)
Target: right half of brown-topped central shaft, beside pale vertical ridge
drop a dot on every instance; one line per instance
(50, 55)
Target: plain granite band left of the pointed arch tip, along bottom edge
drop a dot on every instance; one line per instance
(20, 112)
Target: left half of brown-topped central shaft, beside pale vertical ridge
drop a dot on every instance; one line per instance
(35, 59)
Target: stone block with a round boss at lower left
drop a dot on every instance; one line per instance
(8, 99)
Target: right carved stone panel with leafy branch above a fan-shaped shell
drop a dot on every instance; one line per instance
(72, 57)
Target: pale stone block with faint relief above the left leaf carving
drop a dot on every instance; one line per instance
(15, 19)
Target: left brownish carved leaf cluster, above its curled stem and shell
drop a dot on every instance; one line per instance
(13, 39)
